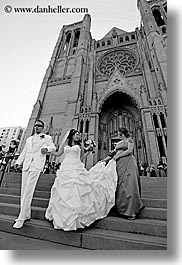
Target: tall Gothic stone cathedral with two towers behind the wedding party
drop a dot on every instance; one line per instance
(98, 86)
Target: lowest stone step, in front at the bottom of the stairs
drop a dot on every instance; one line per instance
(91, 238)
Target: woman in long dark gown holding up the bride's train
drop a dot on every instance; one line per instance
(127, 199)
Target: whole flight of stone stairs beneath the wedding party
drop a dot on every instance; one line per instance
(148, 232)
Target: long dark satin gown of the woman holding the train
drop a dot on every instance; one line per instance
(128, 201)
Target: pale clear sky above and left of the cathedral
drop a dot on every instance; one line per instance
(28, 40)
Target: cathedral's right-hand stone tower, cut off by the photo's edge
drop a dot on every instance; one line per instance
(152, 42)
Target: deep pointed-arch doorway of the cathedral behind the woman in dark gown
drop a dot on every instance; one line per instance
(120, 110)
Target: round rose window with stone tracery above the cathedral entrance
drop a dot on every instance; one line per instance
(124, 60)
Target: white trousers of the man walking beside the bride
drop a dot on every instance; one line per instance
(29, 181)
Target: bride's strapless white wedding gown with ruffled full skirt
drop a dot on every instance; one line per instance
(78, 196)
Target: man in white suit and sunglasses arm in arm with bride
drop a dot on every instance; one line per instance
(33, 159)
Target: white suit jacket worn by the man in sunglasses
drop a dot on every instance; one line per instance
(32, 156)
